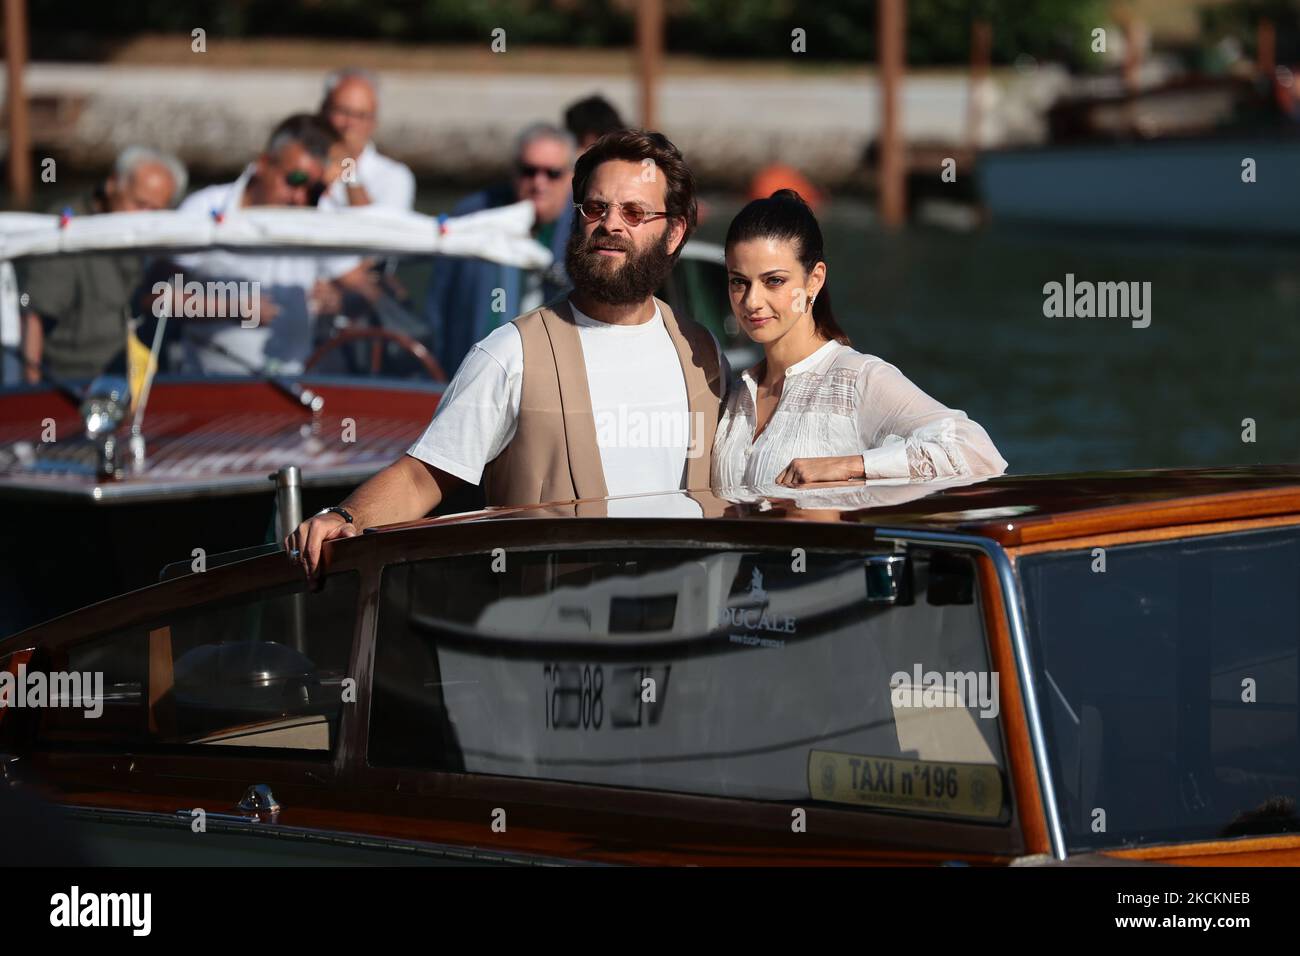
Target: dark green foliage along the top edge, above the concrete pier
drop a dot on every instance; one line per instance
(837, 31)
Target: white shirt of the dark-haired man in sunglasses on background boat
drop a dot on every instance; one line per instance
(289, 279)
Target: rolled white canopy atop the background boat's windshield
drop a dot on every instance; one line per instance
(500, 236)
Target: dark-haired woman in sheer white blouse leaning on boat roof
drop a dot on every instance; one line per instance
(814, 409)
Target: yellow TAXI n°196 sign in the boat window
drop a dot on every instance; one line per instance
(922, 786)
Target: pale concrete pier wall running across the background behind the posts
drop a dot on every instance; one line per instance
(460, 126)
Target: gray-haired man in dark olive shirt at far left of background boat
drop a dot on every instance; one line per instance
(76, 309)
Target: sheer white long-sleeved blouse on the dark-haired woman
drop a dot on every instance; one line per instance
(842, 403)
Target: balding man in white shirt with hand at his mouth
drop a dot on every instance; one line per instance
(369, 178)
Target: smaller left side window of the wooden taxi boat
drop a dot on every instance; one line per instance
(261, 672)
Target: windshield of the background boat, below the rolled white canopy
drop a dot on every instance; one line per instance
(284, 313)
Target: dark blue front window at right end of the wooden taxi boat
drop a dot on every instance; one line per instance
(1169, 686)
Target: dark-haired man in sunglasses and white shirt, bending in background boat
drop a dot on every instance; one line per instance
(293, 170)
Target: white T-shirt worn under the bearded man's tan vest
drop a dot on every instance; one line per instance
(639, 399)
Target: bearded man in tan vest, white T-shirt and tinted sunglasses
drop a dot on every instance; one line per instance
(601, 392)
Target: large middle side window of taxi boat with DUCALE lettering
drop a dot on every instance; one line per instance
(743, 673)
